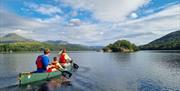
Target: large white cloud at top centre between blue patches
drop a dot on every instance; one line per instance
(108, 11)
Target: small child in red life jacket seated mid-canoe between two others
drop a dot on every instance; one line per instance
(54, 65)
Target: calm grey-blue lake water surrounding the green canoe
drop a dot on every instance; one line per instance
(140, 71)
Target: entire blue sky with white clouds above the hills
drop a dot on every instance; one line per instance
(90, 22)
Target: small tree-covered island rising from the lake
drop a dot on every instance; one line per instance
(121, 46)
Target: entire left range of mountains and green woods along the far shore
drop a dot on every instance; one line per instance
(13, 42)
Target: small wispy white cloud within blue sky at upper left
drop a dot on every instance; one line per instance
(45, 9)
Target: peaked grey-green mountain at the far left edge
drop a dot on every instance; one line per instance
(12, 38)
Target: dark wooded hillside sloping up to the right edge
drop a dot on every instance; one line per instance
(170, 41)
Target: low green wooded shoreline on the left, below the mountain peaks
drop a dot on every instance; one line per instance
(37, 46)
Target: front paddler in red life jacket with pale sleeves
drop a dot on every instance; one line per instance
(64, 59)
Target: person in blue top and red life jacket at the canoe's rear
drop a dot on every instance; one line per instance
(42, 62)
